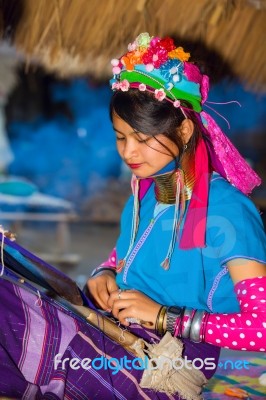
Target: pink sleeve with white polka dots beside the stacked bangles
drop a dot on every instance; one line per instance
(245, 330)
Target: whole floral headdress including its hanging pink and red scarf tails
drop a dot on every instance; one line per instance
(158, 66)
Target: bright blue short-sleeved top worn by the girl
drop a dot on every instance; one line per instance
(199, 277)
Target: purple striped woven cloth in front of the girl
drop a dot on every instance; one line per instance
(34, 330)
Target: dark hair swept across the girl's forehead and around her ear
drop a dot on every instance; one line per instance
(147, 115)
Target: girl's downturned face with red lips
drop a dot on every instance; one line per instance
(145, 155)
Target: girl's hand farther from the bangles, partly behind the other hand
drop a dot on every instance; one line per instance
(100, 287)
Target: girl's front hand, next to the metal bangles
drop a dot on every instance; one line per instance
(133, 304)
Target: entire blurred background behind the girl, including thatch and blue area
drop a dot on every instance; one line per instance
(62, 184)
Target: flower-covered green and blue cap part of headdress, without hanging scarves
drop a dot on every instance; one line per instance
(157, 65)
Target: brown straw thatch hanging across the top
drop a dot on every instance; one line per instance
(73, 37)
